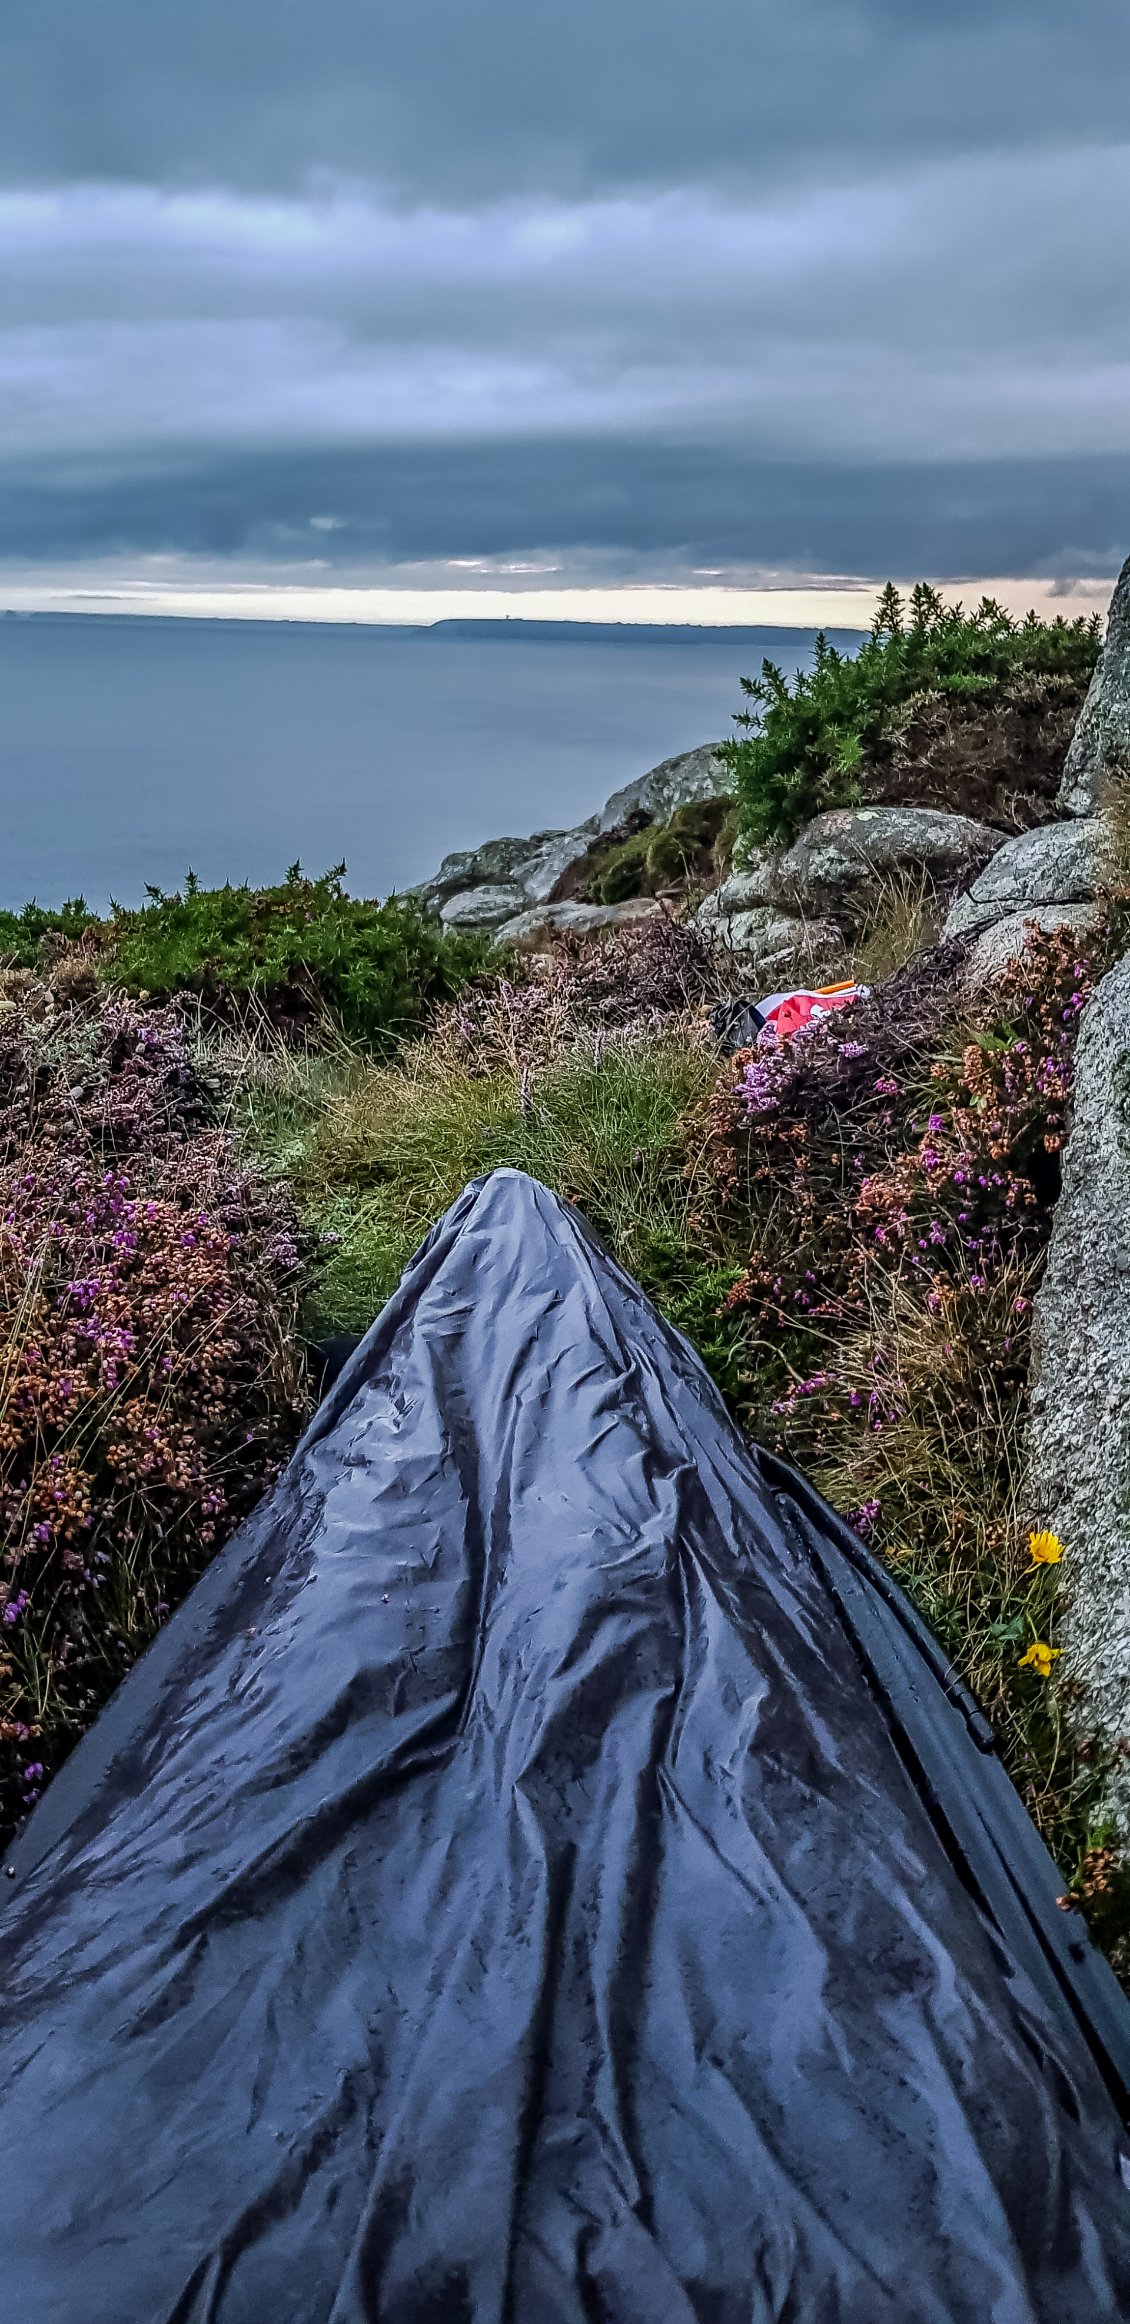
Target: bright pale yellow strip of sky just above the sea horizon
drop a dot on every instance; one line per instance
(808, 605)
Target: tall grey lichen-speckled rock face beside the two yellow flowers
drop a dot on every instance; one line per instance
(1080, 1407)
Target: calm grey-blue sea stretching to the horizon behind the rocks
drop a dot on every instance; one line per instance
(134, 749)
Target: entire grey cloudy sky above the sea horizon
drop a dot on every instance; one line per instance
(650, 292)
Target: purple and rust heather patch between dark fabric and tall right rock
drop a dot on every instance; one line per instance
(894, 1177)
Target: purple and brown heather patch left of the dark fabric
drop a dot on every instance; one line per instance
(150, 1379)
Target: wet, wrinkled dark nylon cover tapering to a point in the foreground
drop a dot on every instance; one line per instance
(506, 1893)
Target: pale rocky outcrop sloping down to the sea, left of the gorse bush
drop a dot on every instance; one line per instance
(471, 887)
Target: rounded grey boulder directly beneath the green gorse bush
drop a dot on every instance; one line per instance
(838, 859)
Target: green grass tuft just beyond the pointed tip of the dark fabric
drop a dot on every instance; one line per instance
(382, 1149)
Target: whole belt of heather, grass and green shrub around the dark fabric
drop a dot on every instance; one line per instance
(850, 1228)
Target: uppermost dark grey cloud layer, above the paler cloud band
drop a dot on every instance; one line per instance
(455, 103)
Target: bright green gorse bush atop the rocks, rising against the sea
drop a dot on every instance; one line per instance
(829, 736)
